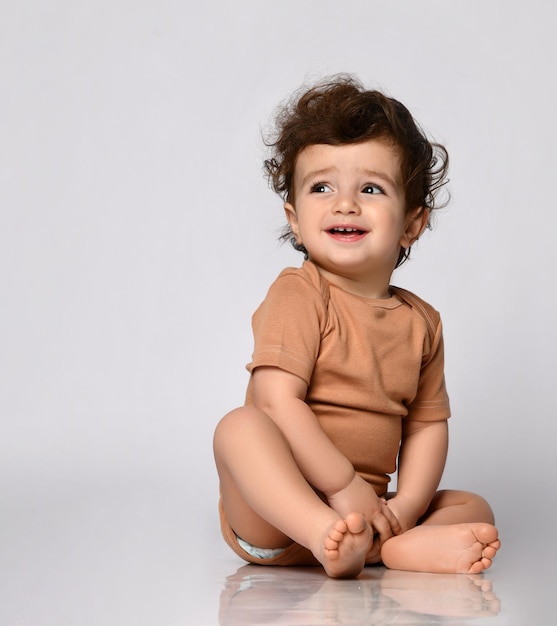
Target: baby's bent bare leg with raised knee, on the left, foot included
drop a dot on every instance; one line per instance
(269, 503)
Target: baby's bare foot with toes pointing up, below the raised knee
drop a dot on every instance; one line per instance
(343, 550)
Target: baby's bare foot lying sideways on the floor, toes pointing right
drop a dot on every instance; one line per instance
(453, 549)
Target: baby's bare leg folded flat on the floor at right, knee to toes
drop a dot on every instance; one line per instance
(457, 536)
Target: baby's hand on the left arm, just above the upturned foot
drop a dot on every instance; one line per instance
(360, 497)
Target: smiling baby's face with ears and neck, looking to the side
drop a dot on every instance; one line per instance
(349, 213)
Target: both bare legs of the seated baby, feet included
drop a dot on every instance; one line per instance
(269, 504)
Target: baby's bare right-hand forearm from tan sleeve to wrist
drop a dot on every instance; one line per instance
(422, 459)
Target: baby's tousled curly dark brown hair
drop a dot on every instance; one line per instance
(341, 111)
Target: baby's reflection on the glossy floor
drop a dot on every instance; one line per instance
(263, 595)
